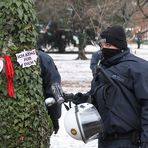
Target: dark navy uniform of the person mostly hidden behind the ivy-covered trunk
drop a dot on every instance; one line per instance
(50, 75)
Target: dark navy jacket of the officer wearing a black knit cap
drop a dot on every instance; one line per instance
(123, 104)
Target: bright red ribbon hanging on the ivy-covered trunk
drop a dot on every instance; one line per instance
(9, 72)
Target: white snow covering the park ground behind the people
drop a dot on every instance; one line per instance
(76, 77)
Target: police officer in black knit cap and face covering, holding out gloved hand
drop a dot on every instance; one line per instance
(120, 93)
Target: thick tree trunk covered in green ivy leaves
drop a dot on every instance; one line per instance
(24, 122)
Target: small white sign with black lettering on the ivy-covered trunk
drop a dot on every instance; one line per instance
(27, 58)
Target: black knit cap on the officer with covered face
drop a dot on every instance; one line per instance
(116, 36)
